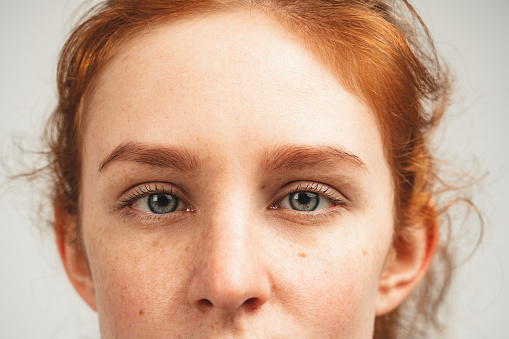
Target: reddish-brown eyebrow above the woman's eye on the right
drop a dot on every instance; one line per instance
(284, 158)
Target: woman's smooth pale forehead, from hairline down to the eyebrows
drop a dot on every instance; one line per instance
(229, 75)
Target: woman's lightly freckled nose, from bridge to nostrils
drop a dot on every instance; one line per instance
(229, 274)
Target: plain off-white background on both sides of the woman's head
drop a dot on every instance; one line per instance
(37, 301)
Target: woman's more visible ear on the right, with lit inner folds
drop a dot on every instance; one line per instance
(407, 263)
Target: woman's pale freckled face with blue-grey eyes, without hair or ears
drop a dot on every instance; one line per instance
(231, 187)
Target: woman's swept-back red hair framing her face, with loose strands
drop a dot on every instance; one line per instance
(385, 60)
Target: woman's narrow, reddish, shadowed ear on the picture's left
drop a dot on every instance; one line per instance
(73, 256)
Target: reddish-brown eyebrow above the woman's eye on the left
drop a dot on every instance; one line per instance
(180, 158)
